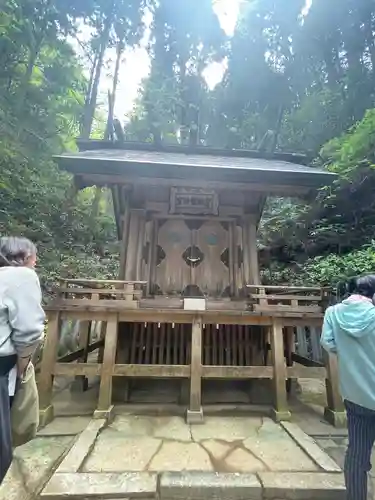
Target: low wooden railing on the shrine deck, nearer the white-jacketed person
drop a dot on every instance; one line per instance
(79, 292)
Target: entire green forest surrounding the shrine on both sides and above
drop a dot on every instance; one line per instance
(307, 77)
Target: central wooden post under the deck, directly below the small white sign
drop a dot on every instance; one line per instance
(195, 412)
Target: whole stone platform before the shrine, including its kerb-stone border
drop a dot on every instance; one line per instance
(226, 458)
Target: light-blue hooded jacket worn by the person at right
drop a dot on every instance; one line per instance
(349, 331)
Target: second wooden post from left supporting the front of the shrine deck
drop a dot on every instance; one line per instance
(105, 407)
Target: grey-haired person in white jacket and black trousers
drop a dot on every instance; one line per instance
(21, 327)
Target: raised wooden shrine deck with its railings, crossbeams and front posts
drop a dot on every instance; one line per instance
(194, 345)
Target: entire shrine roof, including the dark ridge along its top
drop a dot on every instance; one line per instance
(202, 164)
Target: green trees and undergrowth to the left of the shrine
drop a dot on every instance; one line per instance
(42, 91)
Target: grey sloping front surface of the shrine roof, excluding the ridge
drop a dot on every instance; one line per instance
(203, 166)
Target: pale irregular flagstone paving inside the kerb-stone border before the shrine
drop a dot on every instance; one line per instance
(225, 444)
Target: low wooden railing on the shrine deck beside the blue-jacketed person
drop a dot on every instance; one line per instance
(289, 299)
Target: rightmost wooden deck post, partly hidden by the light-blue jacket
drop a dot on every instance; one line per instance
(334, 412)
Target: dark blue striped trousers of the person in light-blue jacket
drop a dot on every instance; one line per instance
(361, 433)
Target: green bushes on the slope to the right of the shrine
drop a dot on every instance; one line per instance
(333, 237)
